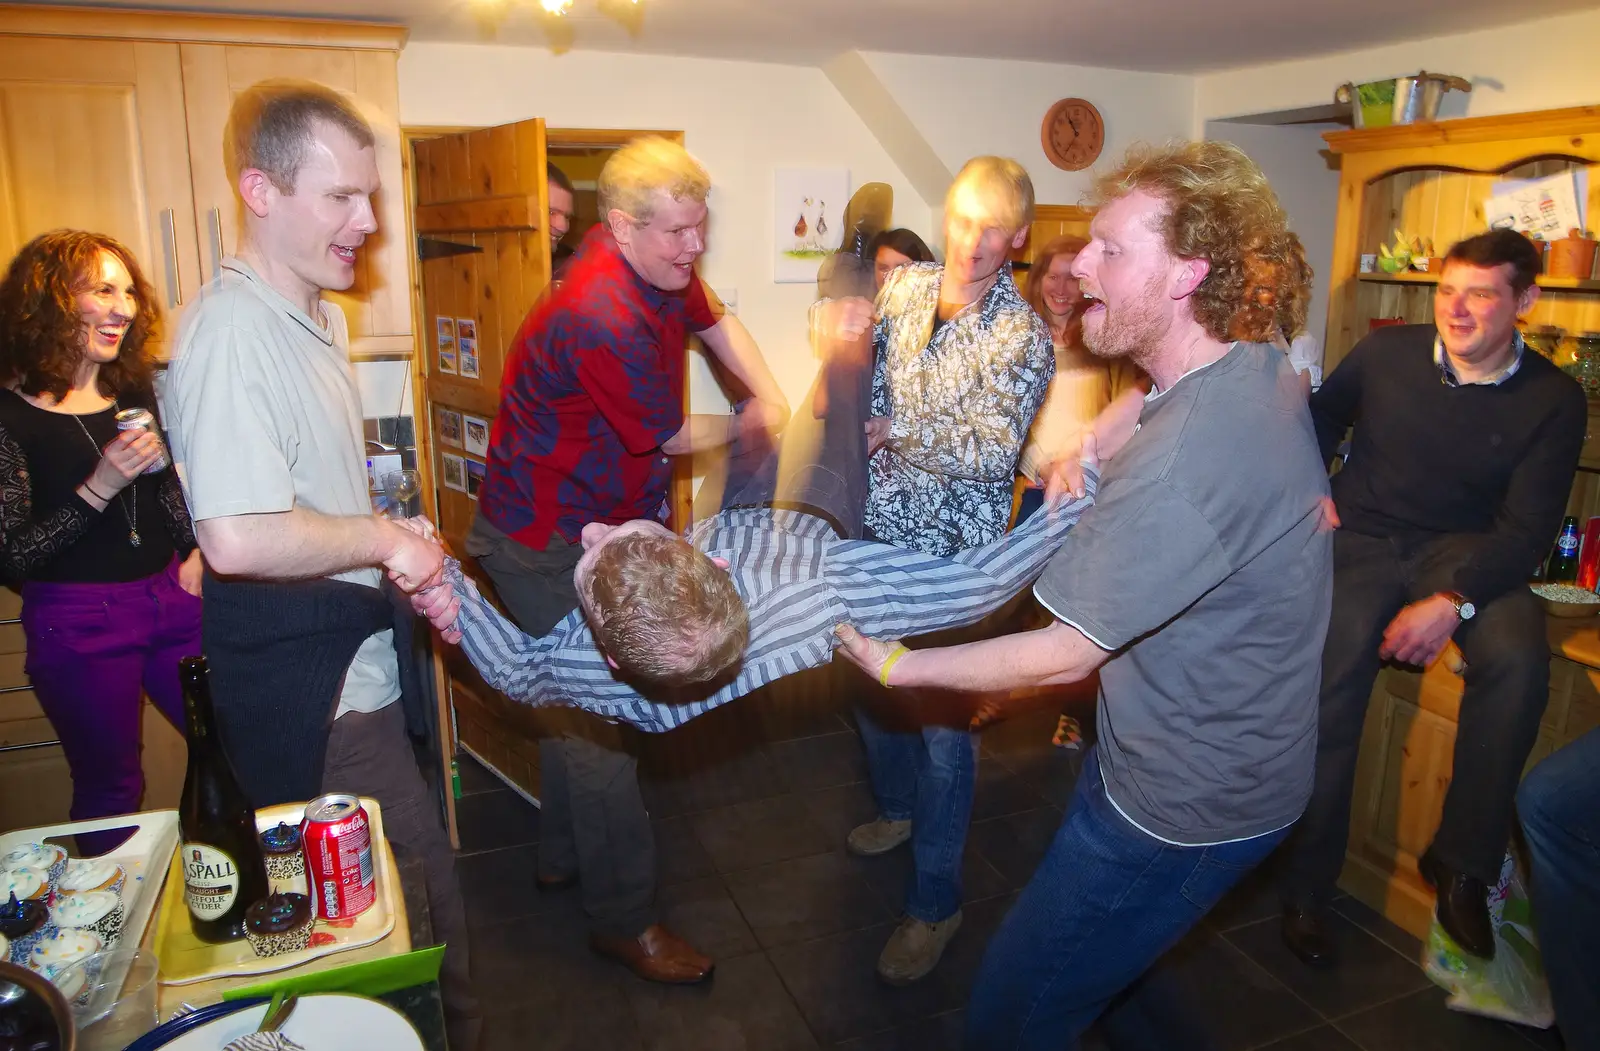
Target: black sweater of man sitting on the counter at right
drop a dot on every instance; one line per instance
(1492, 465)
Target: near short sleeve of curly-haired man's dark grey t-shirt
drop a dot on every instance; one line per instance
(1137, 561)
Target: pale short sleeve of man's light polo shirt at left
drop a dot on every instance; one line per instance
(233, 452)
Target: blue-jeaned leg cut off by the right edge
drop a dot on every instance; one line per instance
(1559, 804)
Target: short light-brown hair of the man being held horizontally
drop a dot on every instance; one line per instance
(665, 612)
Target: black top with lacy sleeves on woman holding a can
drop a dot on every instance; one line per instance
(49, 532)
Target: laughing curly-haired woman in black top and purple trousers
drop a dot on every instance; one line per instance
(94, 524)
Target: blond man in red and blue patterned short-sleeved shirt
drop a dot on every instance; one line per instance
(590, 422)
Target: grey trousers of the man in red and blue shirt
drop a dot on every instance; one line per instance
(593, 820)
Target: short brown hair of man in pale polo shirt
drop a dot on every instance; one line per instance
(273, 124)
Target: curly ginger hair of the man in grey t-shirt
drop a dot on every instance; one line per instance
(1222, 209)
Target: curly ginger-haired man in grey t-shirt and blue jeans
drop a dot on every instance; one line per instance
(1201, 581)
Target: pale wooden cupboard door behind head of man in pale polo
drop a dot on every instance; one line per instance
(378, 306)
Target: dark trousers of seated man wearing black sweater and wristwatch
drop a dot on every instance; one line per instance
(1506, 690)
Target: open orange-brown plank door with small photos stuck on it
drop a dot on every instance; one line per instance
(481, 212)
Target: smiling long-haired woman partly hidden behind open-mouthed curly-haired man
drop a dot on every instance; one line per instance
(1084, 385)
